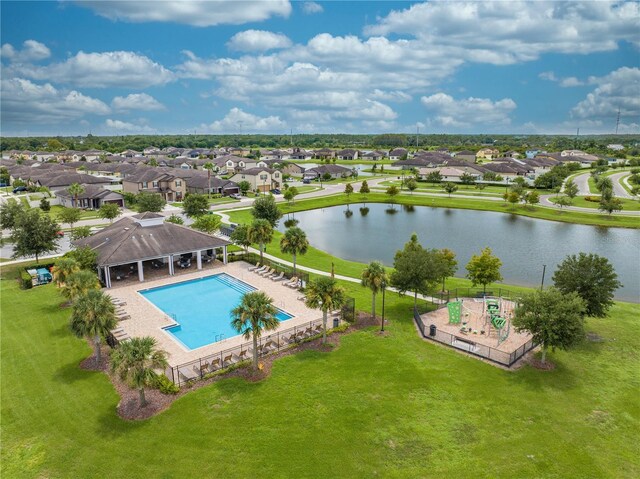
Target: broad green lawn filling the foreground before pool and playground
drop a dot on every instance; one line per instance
(376, 406)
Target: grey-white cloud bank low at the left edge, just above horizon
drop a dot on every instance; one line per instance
(26, 102)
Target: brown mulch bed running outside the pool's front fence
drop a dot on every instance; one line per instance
(129, 405)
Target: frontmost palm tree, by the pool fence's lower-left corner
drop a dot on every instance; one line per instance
(136, 360)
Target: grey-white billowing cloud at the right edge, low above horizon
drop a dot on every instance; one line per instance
(617, 91)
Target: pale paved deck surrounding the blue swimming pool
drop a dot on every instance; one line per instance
(148, 320)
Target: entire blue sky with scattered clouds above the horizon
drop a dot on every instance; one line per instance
(224, 67)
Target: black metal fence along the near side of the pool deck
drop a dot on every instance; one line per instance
(211, 364)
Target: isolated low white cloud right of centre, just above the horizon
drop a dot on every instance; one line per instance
(469, 111)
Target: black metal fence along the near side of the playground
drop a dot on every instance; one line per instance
(487, 352)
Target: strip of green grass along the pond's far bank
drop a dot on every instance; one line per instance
(459, 202)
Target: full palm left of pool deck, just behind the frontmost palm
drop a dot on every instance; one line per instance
(93, 316)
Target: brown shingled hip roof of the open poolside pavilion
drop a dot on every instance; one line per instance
(144, 237)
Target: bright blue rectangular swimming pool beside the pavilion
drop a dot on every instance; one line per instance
(202, 308)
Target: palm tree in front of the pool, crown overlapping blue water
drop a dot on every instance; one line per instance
(253, 315)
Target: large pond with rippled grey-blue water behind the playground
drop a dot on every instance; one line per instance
(377, 231)
